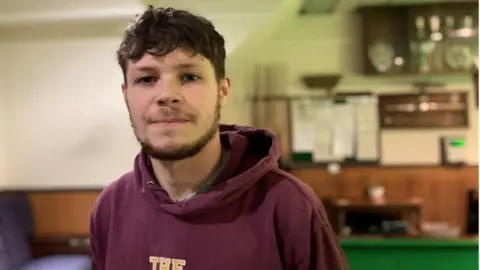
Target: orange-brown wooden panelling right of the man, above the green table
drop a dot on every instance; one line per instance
(443, 190)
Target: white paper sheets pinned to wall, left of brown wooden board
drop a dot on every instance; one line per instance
(333, 132)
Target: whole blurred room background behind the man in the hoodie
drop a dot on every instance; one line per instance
(375, 103)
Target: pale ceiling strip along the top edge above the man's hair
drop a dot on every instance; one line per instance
(13, 12)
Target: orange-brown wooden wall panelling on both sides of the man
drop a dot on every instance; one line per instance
(443, 190)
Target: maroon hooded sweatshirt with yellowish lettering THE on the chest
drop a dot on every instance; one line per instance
(255, 216)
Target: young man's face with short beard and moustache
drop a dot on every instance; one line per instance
(174, 103)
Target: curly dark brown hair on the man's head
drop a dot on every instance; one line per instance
(159, 31)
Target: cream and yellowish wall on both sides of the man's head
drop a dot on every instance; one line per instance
(64, 107)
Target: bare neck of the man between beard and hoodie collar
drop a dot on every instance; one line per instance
(183, 177)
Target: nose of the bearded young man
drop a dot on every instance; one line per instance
(168, 92)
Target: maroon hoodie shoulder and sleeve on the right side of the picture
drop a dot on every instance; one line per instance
(304, 235)
